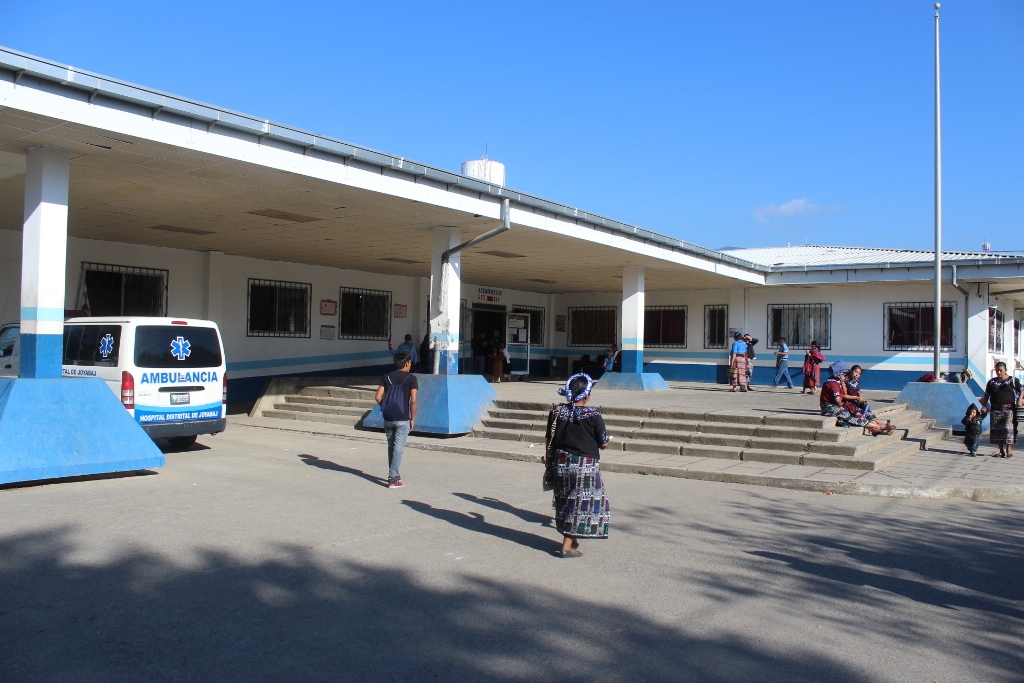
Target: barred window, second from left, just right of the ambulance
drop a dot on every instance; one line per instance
(279, 309)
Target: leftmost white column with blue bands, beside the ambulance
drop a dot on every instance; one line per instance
(45, 258)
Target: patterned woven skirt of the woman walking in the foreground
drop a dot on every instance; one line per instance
(582, 509)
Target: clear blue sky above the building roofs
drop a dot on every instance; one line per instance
(723, 123)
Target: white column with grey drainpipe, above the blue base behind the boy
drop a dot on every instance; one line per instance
(446, 288)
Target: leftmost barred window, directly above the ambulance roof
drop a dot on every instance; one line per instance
(123, 290)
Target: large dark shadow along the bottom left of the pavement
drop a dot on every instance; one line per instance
(302, 617)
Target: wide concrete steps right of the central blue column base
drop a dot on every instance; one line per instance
(797, 439)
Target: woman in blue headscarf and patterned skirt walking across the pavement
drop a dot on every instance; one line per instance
(576, 437)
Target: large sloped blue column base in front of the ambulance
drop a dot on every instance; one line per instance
(54, 429)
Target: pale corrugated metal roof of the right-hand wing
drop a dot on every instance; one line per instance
(815, 255)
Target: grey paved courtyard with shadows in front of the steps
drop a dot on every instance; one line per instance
(268, 556)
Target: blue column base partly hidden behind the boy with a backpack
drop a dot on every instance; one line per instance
(446, 404)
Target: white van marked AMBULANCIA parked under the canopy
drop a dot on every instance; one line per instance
(169, 373)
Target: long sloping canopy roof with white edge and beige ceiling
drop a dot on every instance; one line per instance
(155, 169)
